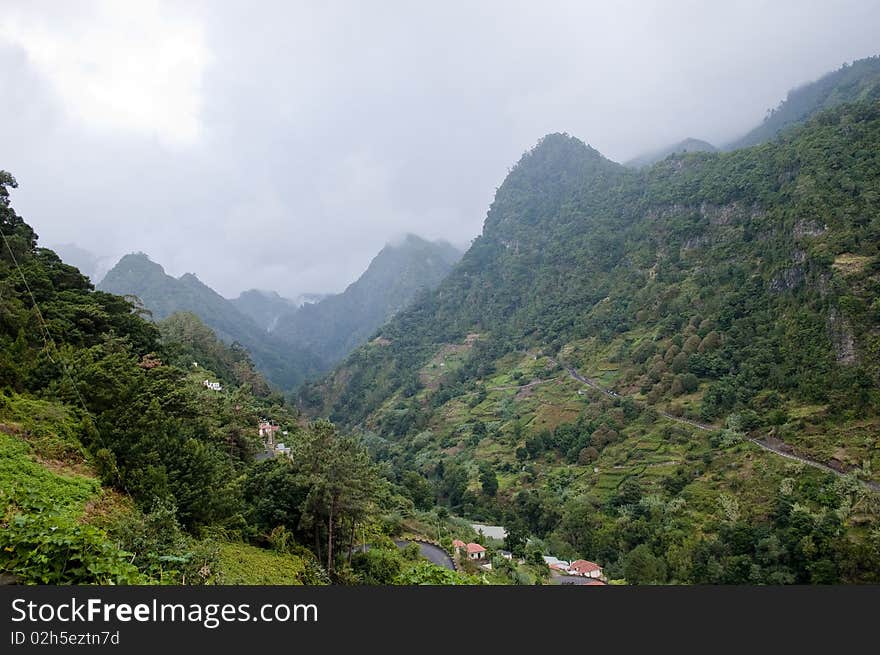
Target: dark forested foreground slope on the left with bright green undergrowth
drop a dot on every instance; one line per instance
(117, 465)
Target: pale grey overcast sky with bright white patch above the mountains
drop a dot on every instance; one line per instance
(279, 145)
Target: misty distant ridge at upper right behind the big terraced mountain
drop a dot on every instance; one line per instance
(859, 81)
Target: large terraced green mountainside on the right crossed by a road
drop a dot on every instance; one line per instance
(717, 299)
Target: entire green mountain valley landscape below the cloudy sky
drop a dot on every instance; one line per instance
(659, 373)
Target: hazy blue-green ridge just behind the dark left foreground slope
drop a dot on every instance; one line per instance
(284, 364)
